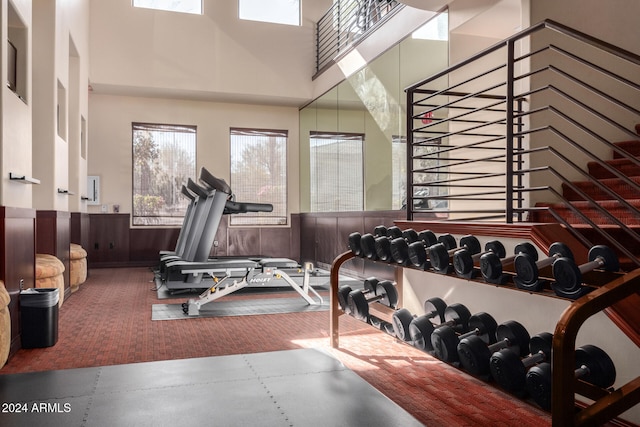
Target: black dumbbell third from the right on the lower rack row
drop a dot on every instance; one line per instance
(475, 354)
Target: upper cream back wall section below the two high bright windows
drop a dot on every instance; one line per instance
(215, 56)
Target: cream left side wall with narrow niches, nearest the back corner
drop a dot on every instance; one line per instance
(56, 154)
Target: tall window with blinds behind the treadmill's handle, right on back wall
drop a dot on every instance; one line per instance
(259, 174)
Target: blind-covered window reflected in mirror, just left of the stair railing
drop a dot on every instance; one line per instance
(337, 182)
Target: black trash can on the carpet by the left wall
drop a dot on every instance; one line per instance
(39, 317)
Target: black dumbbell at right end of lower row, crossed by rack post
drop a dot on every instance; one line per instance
(593, 365)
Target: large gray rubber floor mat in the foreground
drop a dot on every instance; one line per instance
(305, 387)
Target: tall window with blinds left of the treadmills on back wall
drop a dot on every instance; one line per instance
(164, 157)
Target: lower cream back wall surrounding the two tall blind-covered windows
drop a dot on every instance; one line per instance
(111, 138)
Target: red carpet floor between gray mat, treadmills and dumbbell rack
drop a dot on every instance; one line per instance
(108, 321)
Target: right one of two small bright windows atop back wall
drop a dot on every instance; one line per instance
(275, 11)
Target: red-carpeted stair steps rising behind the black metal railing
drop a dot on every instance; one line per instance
(604, 200)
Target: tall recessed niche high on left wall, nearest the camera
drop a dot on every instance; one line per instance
(16, 53)
